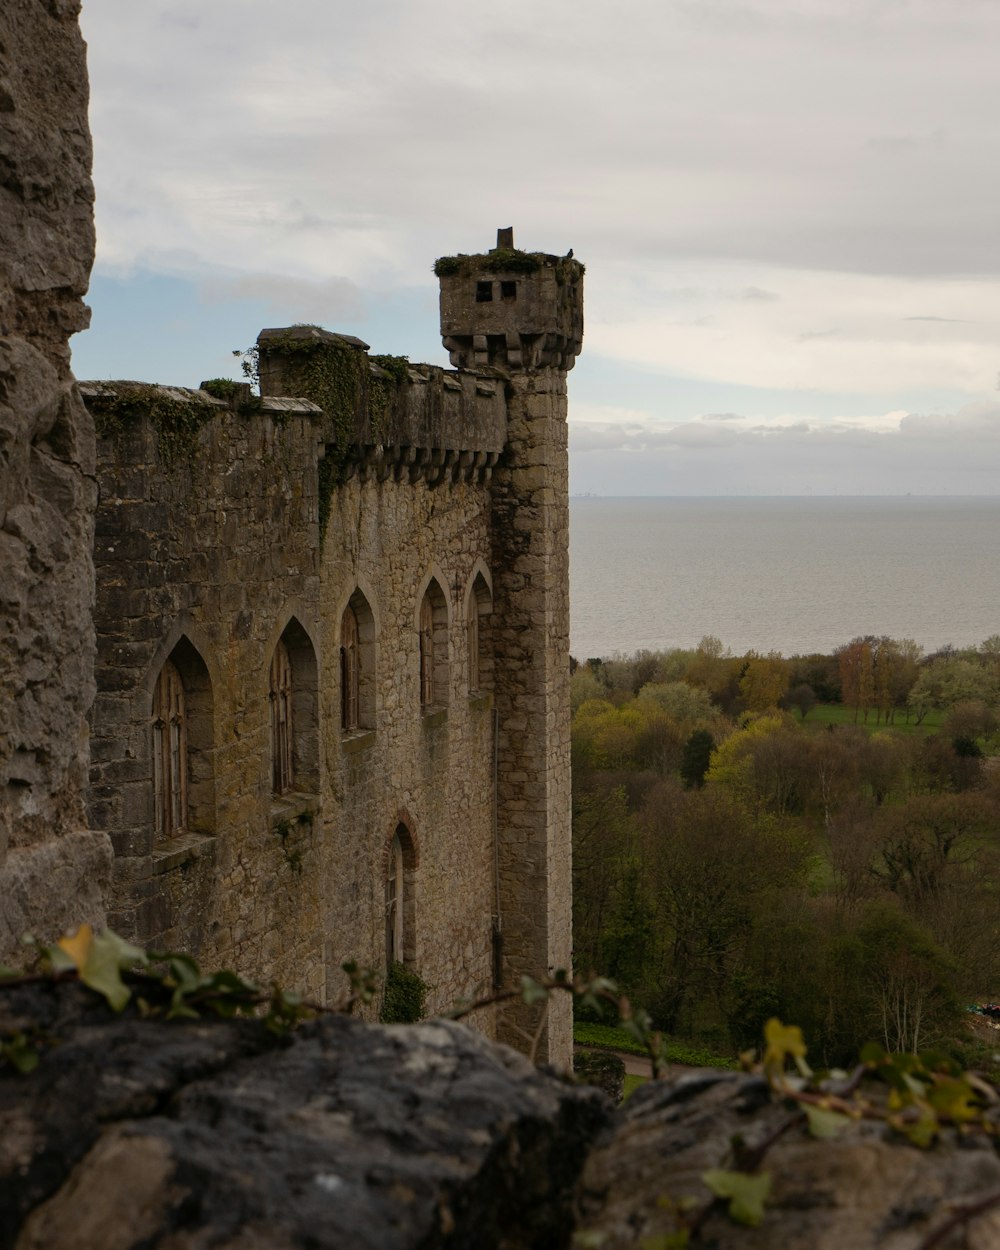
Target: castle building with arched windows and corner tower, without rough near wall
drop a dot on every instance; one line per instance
(432, 824)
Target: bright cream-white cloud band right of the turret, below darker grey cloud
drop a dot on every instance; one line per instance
(826, 331)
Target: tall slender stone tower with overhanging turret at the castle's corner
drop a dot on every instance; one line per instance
(523, 313)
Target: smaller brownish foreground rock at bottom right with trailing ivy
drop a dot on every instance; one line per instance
(862, 1189)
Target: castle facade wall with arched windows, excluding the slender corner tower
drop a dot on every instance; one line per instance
(209, 544)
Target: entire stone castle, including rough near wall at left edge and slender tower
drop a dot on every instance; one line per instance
(331, 693)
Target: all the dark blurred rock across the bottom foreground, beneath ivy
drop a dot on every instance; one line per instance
(201, 1136)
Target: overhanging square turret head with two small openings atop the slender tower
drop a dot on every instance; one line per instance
(511, 309)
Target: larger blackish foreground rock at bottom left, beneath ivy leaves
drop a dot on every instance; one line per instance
(214, 1134)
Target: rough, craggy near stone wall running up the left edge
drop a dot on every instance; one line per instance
(52, 869)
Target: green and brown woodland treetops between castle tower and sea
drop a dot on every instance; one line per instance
(813, 838)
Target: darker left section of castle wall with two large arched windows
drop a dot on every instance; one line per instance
(206, 553)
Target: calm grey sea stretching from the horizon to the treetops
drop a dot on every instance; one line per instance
(792, 576)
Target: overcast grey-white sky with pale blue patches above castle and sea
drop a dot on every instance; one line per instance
(789, 212)
